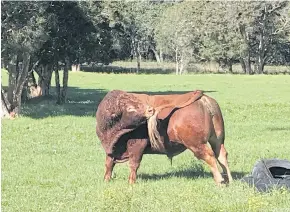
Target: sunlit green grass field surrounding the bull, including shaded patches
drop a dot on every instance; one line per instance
(53, 161)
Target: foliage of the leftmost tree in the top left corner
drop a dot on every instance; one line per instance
(22, 27)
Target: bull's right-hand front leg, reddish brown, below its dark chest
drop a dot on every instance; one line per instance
(136, 148)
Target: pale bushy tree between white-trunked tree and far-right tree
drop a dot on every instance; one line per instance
(219, 39)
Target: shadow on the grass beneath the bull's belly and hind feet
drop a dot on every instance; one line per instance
(192, 172)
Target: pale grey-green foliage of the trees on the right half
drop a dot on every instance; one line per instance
(225, 31)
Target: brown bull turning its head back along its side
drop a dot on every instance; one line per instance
(130, 125)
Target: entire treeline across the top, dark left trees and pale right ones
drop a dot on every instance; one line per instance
(45, 37)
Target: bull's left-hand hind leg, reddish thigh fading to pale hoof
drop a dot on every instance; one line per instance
(205, 153)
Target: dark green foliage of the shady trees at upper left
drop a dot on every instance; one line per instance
(55, 30)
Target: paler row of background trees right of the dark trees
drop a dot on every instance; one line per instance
(250, 33)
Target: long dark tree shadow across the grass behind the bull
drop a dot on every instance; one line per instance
(80, 102)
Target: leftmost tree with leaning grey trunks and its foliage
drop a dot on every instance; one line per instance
(22, 35)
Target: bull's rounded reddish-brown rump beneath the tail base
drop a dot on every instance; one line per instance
(199, 120)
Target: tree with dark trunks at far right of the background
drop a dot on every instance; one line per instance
(261, 25)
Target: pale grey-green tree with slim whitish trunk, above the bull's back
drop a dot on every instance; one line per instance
(178, 32)
